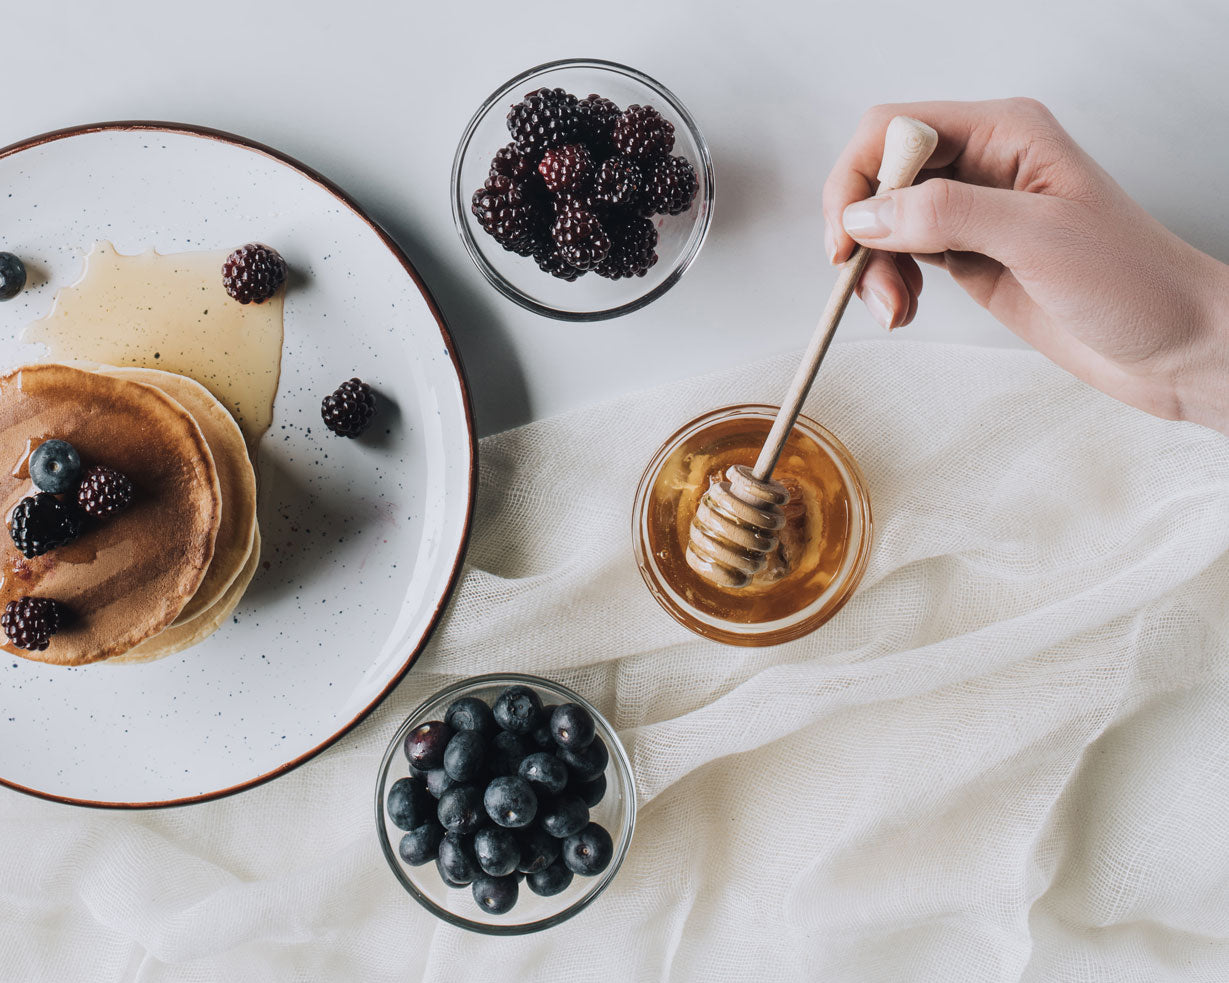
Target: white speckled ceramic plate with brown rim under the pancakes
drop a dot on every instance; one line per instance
(363, 540)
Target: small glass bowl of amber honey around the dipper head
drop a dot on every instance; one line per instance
(822, 552)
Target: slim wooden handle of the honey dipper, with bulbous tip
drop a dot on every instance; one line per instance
(908, 146)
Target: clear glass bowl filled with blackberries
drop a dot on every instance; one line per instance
(583, 190)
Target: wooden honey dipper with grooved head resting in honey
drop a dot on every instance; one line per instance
(736, 527)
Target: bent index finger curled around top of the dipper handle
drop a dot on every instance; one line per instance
(979, 143)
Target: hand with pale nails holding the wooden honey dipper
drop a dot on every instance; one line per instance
(1044, 239)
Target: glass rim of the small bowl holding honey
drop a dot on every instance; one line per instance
(801, 624)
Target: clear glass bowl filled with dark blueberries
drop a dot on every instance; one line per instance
(506, 804)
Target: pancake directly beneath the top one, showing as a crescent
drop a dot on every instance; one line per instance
(235, 476)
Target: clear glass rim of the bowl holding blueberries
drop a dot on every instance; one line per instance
(619, 759)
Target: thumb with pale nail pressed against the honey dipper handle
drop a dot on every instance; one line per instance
(938, 216)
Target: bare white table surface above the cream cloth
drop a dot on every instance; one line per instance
(375, 94)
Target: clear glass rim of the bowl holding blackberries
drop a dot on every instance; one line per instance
(509, 291)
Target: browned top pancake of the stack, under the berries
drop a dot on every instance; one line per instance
(128, 577)
